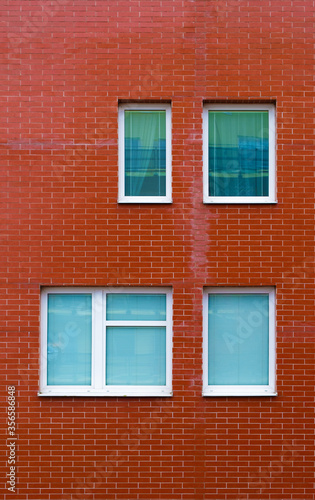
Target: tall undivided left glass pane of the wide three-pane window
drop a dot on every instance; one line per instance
(69, 339)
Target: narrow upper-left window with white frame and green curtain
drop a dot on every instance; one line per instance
(145, 153)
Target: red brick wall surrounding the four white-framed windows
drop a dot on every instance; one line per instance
(65, 66)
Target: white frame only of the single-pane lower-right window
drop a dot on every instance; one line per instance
(241, 390)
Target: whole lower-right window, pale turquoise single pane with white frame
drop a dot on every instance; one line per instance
(239, 342)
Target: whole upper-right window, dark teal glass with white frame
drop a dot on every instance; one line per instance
(239, 153)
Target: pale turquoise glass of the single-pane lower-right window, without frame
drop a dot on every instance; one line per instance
(238, 339)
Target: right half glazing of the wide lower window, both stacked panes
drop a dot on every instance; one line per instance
(136, 355)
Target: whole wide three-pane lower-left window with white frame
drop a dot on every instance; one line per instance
(106, 342)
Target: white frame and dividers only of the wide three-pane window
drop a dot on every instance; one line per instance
(99, 324)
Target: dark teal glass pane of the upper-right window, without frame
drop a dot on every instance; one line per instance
(238, 153)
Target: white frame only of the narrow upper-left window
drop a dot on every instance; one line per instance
(122, 198)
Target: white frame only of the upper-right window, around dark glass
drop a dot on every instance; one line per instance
(271, 198)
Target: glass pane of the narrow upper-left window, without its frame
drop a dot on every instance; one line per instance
(145, 153)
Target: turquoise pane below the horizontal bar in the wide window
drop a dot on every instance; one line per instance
(135, 356)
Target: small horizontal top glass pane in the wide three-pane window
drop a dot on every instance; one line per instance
(138, 307)
